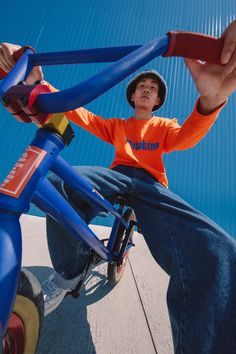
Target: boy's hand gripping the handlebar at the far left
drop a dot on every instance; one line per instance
(7, 62)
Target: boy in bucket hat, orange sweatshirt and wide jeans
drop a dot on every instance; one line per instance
(198, 256)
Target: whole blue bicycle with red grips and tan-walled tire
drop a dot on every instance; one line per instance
(21, 305)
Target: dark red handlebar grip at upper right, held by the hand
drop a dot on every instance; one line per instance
(195, 46)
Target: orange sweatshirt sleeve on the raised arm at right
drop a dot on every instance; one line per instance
(195, 127)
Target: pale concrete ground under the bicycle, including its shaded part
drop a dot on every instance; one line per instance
(129, 318)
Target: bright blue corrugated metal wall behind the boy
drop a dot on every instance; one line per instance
(205, 175)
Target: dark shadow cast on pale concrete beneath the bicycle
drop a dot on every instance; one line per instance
(67, 330)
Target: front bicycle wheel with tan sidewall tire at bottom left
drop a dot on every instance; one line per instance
(24, 326)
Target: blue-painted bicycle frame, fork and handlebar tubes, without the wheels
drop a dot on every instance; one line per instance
(42, 154)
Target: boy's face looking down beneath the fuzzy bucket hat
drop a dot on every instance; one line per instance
(146, 94)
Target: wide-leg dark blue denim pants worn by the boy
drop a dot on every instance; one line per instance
(197, 254)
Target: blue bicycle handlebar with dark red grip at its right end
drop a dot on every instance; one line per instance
(128, 59)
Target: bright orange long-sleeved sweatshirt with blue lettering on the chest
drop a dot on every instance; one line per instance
(141, 143)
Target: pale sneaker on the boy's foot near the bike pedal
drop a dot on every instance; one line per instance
(55, 289)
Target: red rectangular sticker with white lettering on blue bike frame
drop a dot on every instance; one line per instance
(20, 174)
